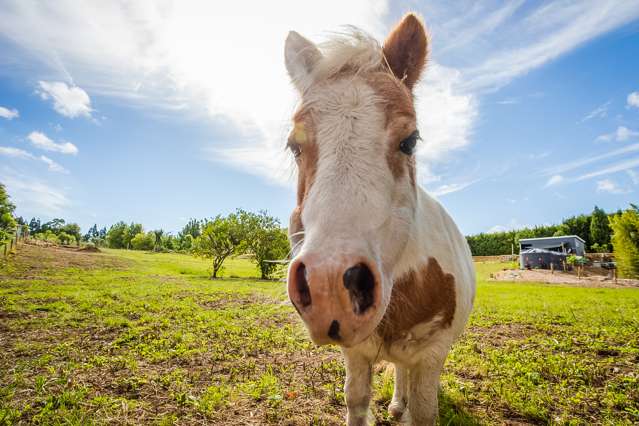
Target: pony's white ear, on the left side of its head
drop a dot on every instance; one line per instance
(301, 55)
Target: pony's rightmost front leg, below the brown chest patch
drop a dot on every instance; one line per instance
(422, 393)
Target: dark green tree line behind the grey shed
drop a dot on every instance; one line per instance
(594, 228)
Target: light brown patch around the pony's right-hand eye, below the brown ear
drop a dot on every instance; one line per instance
(399, 110)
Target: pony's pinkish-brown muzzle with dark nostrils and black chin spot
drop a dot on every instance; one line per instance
(337, 297)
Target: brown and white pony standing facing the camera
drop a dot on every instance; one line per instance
(379, 267)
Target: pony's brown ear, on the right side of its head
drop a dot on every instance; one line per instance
(406, 48)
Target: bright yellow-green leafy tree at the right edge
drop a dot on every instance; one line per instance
(625, 240)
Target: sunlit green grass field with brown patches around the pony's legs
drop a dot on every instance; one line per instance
(124, 337)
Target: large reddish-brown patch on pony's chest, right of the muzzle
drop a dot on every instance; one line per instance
(419, 296)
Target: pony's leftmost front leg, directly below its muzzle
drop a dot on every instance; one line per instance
(357, 388)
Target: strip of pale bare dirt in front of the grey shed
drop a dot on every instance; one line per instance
(589, 279)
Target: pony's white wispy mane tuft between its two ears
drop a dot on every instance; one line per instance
(350, 52)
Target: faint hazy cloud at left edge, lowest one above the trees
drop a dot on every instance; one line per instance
(33, 196)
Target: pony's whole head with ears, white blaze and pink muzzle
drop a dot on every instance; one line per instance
(353, 139)
